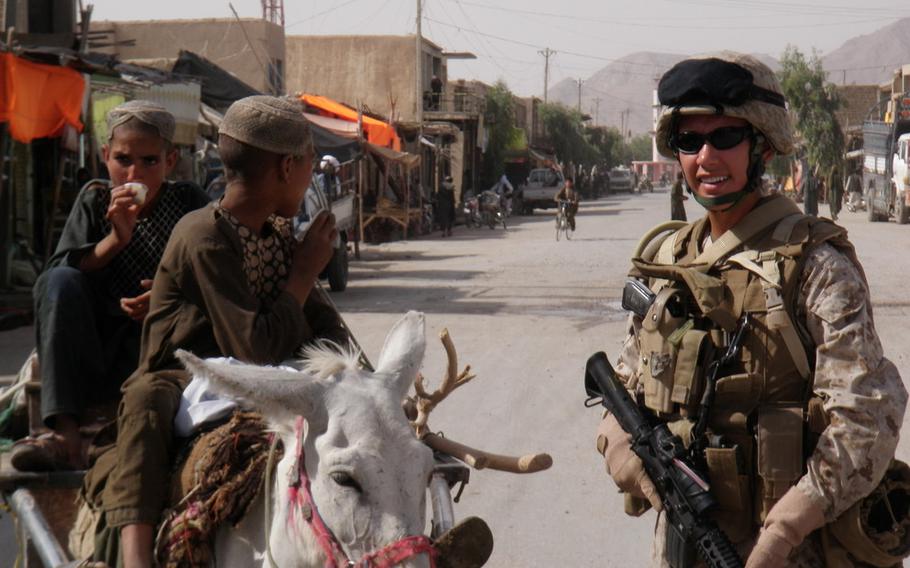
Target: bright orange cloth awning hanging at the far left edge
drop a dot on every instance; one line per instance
(38, 100)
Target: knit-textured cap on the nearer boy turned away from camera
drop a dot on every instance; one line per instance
(272, 124)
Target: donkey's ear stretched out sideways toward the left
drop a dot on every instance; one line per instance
(278, 394)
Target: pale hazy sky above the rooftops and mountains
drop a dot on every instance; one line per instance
(506, 35)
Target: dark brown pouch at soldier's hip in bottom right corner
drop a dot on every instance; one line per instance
(876, 530)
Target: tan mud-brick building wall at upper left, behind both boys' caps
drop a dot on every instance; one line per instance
(221, 41)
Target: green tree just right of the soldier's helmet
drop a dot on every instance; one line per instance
(813, 102)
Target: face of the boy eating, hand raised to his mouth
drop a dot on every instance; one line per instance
(132, 156)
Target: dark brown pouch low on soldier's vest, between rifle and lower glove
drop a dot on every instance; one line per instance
(730, 487)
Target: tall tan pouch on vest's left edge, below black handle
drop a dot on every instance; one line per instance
(658, 354)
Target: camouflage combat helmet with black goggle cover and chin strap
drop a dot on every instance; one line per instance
(730, 84)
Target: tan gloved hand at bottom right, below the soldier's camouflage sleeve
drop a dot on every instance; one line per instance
(787, 525)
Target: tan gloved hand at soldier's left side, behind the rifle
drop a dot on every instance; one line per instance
(626, 468)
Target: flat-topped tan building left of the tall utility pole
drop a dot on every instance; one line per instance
(377, 71)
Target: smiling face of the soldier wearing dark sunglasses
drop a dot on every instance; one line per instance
(711, 172)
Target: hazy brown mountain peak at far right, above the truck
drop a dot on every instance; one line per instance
(872, 58)
